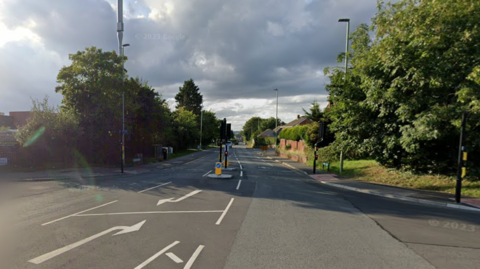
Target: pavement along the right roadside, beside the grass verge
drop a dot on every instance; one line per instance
(411, 195)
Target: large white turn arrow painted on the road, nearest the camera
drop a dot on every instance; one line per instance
(124, 229)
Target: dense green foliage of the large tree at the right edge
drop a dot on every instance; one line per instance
(402, 102)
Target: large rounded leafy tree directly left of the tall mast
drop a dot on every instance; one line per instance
(92, 89)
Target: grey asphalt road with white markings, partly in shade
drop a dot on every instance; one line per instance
(266, 216)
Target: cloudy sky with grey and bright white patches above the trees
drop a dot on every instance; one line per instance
(237, 52)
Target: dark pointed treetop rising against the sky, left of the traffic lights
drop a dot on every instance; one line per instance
(189, 97)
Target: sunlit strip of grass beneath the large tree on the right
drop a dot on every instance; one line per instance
(371, 171)
